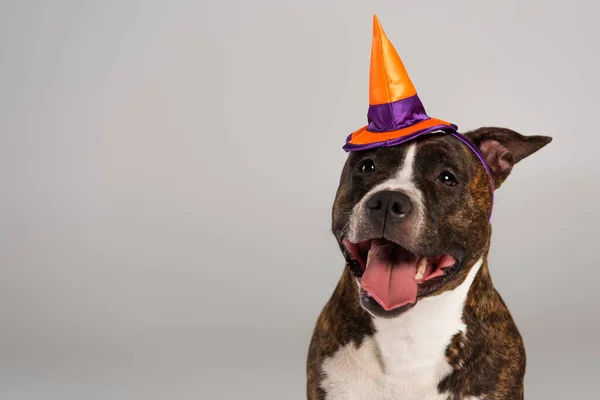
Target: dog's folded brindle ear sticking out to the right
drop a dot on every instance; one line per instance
(503, 148)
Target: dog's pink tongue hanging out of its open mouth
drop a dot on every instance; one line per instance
(390, 275)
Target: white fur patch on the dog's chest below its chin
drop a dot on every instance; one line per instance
(405, 359)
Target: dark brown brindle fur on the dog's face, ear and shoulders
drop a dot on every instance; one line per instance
(488, 361)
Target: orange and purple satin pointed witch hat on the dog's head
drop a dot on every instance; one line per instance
(396, 113)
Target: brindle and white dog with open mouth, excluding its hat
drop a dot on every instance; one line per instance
(415, 314)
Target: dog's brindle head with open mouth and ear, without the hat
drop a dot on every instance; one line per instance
(411, 220)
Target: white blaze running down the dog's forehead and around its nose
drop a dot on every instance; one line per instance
(401, 181)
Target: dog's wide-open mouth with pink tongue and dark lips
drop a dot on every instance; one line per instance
(394, 277)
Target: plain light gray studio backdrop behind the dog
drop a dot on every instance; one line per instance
(167, 171)
